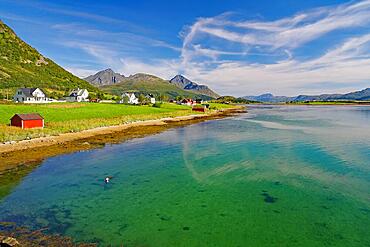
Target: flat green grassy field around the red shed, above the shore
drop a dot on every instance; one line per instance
(73, 117)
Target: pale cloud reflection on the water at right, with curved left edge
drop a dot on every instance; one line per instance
(277, 142)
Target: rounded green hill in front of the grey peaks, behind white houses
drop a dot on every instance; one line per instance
(144, 83)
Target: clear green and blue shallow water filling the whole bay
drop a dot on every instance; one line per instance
(277, 176)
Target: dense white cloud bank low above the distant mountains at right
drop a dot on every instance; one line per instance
(348, 63)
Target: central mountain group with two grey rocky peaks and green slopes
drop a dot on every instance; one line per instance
(115, 83)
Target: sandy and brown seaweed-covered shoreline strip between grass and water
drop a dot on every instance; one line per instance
(25, 152)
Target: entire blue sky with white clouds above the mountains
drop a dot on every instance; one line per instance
(285, 47)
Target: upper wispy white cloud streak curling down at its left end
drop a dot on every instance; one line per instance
(288, 32)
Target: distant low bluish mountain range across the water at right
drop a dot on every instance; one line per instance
(357, 95)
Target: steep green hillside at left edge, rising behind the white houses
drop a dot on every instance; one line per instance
(23, 66)
